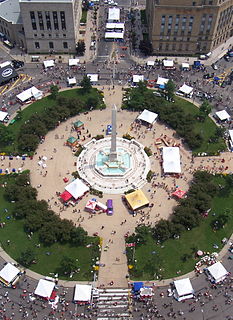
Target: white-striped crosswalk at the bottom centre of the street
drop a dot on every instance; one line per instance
(112, 303)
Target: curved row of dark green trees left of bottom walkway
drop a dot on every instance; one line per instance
(39, 218)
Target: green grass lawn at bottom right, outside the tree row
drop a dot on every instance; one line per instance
(168, 257)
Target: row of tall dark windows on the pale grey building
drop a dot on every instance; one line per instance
(48, 20)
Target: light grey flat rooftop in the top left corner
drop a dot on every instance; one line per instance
(10, 11)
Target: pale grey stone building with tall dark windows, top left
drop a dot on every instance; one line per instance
(51, 26)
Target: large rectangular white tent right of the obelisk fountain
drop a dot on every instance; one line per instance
(171, 160)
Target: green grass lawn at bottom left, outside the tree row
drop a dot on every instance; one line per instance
(46, 264)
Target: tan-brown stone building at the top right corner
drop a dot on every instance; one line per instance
(188, 27)
